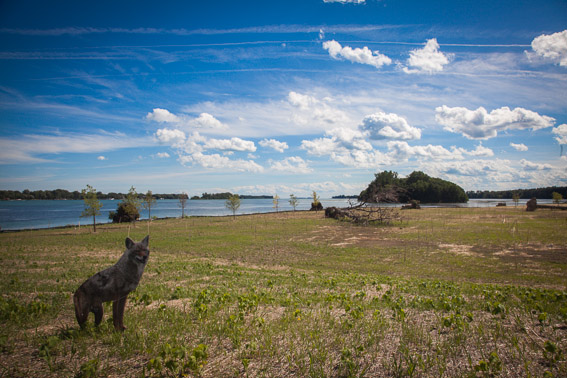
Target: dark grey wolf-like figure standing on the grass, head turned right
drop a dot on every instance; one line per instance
(112, 284)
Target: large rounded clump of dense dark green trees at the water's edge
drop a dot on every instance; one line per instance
(388, 187)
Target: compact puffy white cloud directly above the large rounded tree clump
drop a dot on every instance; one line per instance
(388, 126)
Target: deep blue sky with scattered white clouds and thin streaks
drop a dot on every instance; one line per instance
(281, 97)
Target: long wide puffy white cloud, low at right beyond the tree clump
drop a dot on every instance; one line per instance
(479, 124)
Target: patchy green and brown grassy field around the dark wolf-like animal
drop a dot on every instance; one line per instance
(445, 293)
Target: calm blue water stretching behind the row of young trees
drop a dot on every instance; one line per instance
(18, 215)
